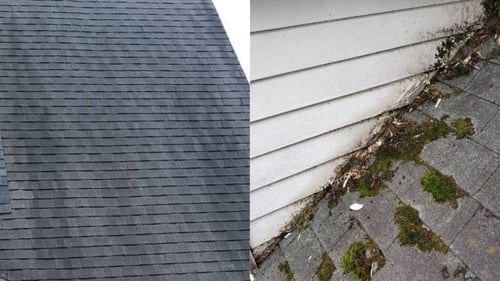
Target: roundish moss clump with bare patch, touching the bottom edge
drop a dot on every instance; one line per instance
(359, 259)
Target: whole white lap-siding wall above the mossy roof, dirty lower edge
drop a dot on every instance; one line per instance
(322, 72)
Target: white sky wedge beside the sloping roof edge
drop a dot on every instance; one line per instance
(235, 16)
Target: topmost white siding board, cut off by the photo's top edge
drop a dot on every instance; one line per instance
(272, 14)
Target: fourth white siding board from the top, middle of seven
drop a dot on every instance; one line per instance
(293, 127)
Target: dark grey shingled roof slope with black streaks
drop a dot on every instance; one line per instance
(125, 132)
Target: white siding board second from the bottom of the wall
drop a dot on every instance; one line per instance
(283, 193)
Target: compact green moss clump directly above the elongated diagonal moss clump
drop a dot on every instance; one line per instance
(443, 188)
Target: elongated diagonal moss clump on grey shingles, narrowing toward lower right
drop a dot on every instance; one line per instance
(412, 231)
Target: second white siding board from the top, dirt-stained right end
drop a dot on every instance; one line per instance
(291, 49)
